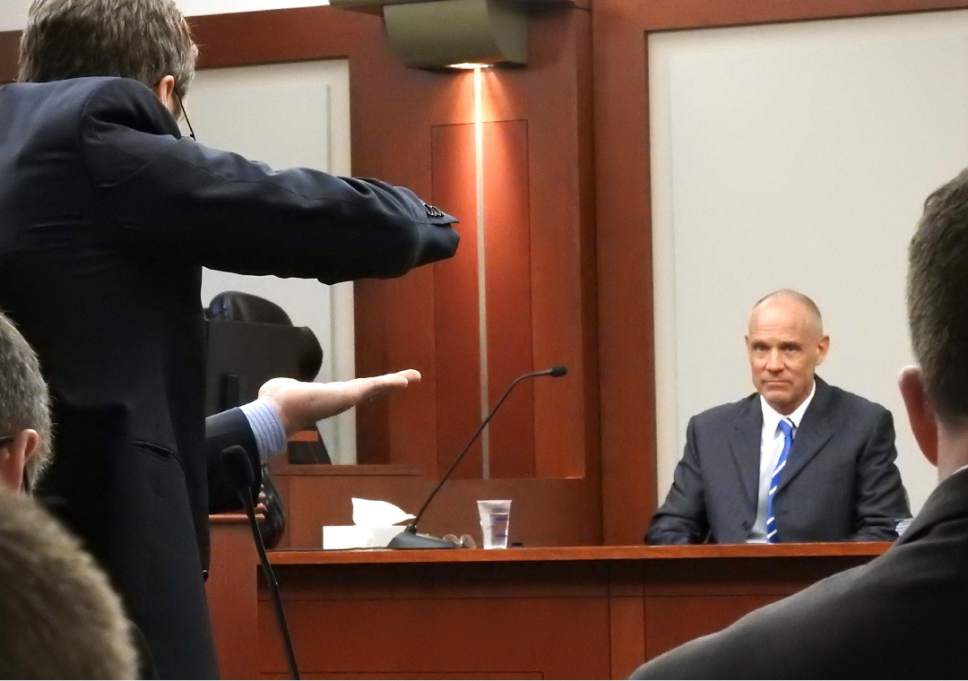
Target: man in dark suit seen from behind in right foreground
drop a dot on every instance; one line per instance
(902, 615)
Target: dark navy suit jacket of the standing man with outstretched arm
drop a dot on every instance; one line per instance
(107, 216)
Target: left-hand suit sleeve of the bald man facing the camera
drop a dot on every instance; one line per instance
(682, 518)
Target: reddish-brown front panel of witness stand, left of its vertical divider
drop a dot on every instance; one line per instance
(560, 607)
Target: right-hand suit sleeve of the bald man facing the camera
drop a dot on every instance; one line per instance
(880, 497)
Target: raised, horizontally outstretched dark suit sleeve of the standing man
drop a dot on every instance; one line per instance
(170, 197)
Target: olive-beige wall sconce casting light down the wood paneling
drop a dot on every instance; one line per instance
(444, 33)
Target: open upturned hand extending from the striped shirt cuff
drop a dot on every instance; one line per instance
(300, 404)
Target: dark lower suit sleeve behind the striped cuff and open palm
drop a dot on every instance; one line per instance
(222, 431)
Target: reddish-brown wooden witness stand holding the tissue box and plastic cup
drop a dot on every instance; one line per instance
(555, 612)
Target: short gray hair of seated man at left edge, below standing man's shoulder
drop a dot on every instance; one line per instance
(24, 400)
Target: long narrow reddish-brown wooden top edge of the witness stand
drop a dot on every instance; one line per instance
(581, 553)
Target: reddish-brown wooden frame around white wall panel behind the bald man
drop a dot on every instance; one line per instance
(620, 57)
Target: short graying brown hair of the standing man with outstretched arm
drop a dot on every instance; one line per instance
(140, 39)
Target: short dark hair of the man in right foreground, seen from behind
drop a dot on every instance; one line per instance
(937, 298)
